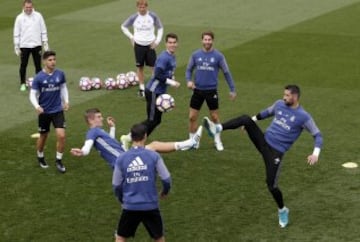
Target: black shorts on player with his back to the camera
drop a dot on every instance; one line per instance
(130, 220)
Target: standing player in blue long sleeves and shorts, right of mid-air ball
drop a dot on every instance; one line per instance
(207, 62)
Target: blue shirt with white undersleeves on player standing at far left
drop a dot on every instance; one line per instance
(48, 87)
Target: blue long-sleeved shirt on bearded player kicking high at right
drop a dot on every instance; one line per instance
(287, 125)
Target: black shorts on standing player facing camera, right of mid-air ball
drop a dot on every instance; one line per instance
(210, 96)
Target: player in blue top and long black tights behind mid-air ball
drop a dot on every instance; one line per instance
(163, 76)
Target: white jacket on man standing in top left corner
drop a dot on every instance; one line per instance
(29, 30)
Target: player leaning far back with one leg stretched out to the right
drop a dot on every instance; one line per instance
(109, 148)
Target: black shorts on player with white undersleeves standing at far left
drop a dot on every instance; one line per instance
(45, 119)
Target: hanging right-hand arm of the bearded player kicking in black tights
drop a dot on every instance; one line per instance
(312, 128)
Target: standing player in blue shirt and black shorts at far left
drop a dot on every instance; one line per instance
(49, 96)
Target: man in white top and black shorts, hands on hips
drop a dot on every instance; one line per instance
(143, 38)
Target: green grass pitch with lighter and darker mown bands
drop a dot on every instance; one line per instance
(216, 196)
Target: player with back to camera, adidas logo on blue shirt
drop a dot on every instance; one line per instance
(134, 184)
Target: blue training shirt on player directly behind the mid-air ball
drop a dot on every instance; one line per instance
(165, 66)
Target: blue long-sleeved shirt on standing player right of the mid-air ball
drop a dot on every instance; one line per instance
(207, 66)
